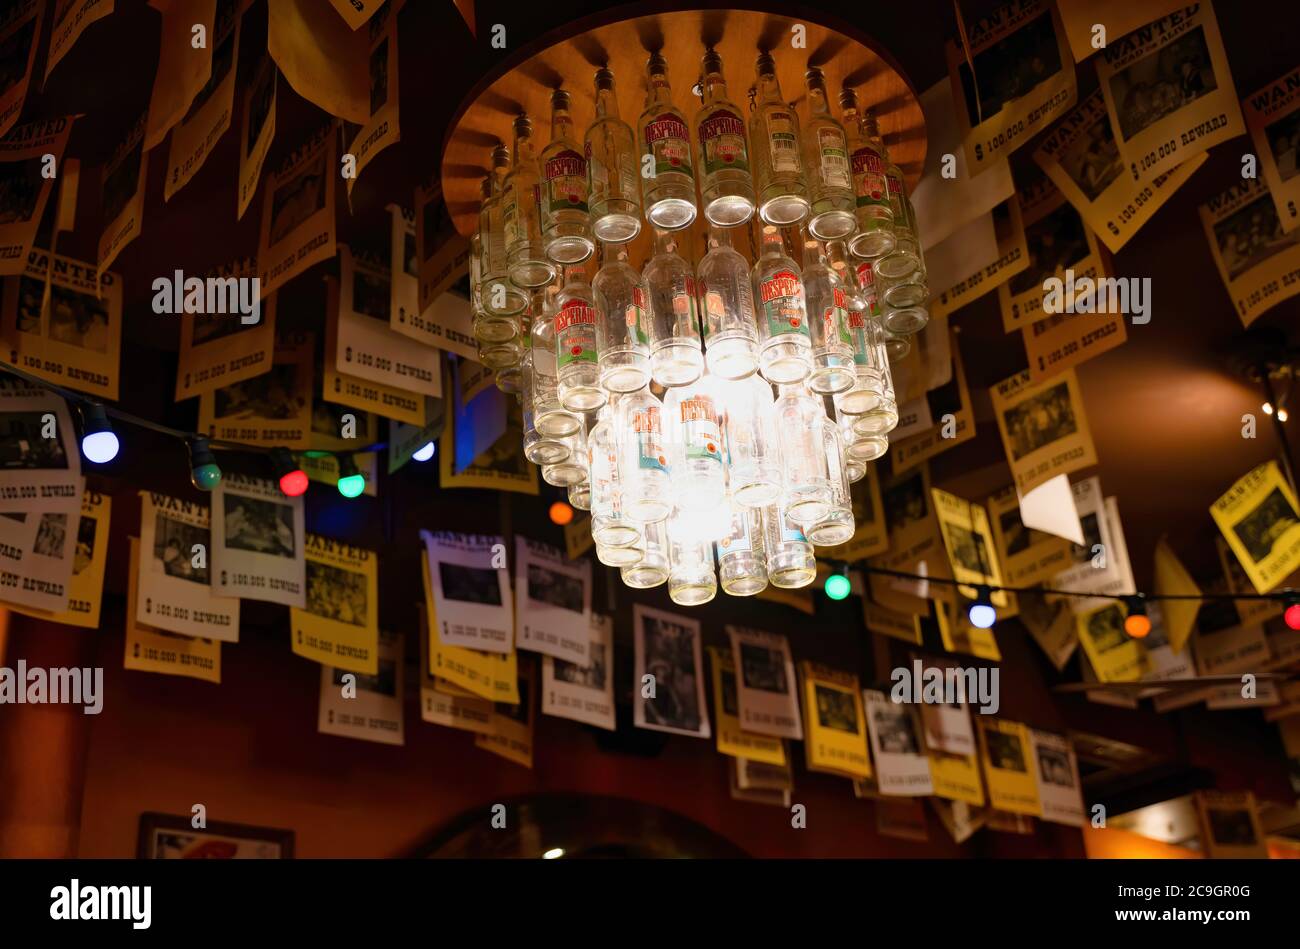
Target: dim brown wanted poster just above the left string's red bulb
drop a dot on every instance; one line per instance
(274, 409)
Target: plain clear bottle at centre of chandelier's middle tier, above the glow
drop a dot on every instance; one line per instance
(727, 309)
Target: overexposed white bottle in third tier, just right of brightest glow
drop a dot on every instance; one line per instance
(751, 443)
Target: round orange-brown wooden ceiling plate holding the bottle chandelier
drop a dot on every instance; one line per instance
(525, 83)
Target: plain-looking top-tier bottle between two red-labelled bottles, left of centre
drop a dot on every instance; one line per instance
(612, 168)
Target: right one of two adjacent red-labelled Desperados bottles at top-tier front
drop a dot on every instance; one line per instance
(726, 184)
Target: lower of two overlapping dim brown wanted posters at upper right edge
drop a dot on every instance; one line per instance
(1258, 261)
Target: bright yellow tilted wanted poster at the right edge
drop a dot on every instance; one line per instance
(1258, 518)
